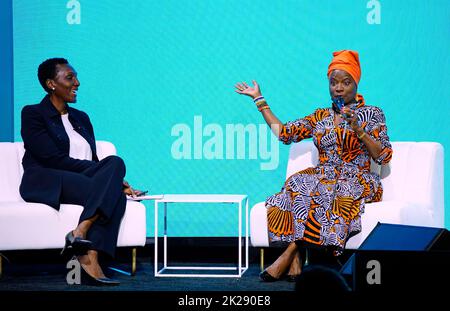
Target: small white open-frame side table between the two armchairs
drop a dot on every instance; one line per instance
(233, 199)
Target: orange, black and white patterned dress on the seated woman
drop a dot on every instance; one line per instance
(323, 204)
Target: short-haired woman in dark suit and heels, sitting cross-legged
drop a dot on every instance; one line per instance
(61, 166)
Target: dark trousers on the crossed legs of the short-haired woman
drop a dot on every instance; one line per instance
(99, 190)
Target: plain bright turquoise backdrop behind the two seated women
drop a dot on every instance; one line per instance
(148, 67)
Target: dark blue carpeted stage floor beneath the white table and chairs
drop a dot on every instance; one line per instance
(44, 277)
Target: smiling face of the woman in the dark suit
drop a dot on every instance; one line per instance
(65, 84)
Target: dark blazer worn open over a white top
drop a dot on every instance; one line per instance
(47, 147)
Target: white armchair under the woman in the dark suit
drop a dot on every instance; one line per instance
(19, 219)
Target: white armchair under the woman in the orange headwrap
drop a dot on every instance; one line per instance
(413, 184)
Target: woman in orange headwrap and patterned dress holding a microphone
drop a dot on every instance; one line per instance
(322, 205)
